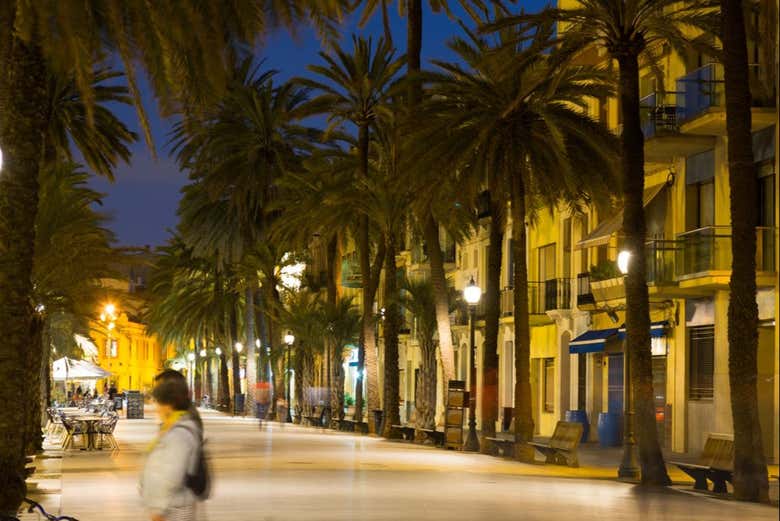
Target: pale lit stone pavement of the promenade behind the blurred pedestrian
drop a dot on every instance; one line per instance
(286, 472)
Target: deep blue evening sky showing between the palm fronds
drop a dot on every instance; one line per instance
(144, 197)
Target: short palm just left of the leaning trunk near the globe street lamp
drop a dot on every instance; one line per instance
(418, 298)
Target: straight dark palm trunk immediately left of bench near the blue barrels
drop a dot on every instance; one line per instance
(524, 423)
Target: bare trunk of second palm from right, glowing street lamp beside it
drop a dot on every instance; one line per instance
(637, 305)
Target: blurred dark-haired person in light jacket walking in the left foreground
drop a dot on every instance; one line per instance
(174, 475)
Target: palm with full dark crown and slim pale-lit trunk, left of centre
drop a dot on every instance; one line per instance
(236, 152)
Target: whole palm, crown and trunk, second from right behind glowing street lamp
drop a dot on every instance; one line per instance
(631, 31)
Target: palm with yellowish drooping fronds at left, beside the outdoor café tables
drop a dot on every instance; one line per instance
(72, 253)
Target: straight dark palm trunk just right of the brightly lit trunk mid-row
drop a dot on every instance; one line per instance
(390, 329)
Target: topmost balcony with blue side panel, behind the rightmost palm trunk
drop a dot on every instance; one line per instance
(701, 100)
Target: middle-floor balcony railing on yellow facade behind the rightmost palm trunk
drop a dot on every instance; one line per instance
(709, 249)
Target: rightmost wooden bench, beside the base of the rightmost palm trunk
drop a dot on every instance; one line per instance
(715, 463)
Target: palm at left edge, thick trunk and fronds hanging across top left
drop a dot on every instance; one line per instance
(181, 47)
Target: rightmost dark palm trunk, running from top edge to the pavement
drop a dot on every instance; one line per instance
(750, 471)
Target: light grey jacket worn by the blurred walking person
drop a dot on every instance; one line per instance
(163, 489)
